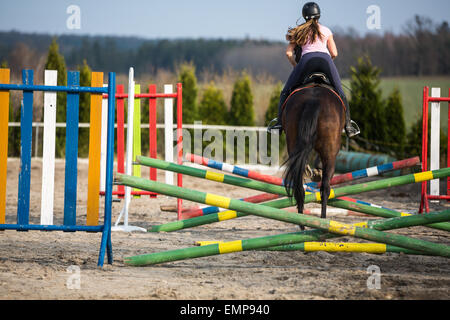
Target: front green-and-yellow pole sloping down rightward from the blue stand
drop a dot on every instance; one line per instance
(277, 214)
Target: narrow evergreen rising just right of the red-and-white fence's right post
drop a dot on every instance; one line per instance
(189, 81)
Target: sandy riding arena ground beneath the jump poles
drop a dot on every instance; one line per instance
(40, 265)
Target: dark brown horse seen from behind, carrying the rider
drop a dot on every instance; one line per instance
(313, 118)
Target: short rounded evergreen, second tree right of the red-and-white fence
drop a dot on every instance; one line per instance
(212, 108)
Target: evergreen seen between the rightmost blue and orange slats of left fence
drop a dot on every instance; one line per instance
(85, 115)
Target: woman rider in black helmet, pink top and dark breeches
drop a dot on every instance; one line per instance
(317, 51)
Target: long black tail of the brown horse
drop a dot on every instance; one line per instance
(296, 163)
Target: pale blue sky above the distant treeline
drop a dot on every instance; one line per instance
(226, 19)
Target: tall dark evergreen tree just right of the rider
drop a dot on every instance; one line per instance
(366, 105)
